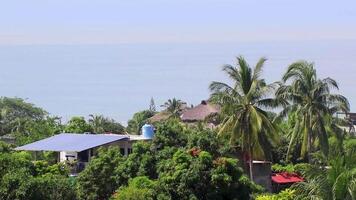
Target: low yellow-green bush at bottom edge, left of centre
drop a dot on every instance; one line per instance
(139, 188)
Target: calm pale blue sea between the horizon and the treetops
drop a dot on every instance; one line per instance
(118, 80)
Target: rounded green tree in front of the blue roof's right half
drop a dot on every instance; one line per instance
(98, 180)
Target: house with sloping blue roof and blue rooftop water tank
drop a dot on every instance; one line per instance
(80, 148)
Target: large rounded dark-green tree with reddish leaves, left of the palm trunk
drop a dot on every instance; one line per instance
(198, 176)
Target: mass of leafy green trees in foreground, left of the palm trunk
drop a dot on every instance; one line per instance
(180, 163)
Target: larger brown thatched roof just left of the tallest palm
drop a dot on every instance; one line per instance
(200, 112)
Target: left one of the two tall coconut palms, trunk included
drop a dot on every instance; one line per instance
(242, 109)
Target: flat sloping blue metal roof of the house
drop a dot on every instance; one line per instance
(72, 142)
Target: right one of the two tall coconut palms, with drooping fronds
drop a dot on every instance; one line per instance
(311, 99)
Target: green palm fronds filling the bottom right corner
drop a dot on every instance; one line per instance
(335, 182)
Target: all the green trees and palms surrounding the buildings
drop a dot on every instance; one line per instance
(194, 162)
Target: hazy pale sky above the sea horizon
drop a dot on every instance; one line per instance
(152, 21)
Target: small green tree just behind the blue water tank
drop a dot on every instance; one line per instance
(135, 124)
